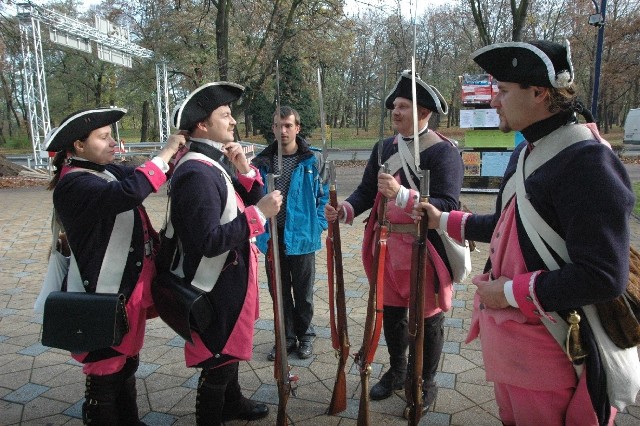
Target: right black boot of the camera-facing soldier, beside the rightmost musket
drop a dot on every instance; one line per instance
(433, 343)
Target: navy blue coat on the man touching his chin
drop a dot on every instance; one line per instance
(198, 198)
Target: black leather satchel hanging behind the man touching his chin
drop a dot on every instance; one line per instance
(182, 306)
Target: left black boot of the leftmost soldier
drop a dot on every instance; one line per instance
(101, 393)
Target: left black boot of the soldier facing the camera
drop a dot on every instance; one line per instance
(395, 333)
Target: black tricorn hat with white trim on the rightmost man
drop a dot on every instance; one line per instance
(536, 63)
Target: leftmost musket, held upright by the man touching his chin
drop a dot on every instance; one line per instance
(282, 372)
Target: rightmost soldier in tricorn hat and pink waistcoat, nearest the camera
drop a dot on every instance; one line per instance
(559, 241)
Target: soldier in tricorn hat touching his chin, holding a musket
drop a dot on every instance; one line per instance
(216, 213)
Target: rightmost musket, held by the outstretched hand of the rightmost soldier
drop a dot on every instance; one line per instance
(419, 260)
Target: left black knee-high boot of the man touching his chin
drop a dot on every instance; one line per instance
(210, 397)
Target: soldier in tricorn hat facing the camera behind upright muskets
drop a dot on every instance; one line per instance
(400, 188)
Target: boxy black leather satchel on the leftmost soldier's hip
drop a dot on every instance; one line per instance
(84, 322)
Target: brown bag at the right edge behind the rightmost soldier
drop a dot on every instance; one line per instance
(620, 317)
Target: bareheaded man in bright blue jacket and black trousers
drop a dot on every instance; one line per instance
(300, 224)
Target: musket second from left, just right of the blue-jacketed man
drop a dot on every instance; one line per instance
(335, 274)
